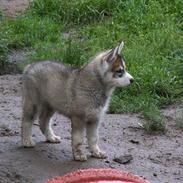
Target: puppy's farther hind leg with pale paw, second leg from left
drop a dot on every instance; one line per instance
(46, 113)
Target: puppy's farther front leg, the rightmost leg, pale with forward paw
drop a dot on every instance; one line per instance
(92, 136)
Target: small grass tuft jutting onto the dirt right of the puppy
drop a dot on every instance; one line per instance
(155, 121)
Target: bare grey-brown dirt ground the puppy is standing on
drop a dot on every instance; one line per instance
(155, 157)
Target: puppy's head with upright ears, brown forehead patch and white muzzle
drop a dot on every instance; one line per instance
(115, 73)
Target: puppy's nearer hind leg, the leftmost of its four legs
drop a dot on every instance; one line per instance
(29, 114)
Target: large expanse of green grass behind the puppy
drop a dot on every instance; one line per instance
(73, 31)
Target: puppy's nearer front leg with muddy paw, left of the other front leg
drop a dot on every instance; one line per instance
(78, 127)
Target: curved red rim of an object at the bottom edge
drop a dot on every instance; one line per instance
(98, 176)
